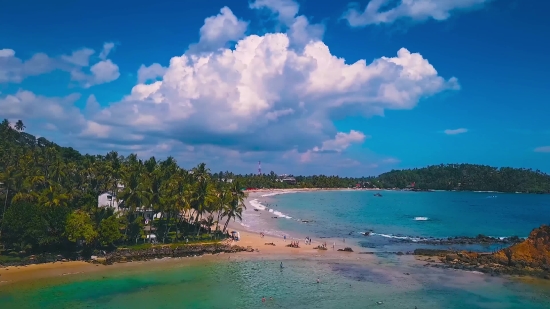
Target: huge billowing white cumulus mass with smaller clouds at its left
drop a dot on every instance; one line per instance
(272, 97)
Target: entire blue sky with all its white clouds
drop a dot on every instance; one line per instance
(306, 87)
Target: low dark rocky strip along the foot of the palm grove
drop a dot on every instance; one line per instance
(129, 255)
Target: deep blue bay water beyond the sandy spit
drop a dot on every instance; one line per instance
(402, 215)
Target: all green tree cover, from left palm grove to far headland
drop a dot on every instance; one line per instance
(49, 194)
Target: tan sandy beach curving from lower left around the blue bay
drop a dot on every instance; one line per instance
(15, 274)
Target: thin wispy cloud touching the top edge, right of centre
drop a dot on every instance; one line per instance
(389, 11)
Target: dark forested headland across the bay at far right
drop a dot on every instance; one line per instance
(468, 177)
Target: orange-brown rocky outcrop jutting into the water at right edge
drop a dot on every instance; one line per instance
(529, 257)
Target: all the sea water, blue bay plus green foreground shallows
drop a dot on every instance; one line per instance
(386, 281)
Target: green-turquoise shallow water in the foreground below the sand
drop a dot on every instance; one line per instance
(242, 284)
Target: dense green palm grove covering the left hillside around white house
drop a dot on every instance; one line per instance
(49, 199)
